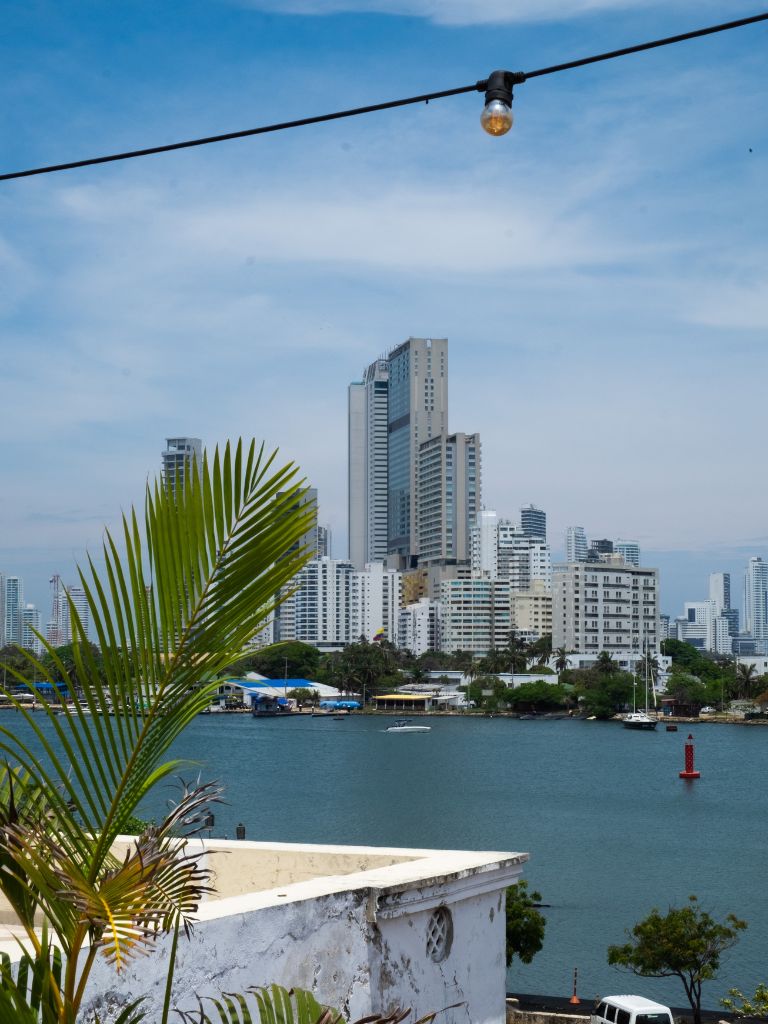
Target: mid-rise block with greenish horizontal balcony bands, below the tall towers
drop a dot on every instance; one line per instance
(477, 615)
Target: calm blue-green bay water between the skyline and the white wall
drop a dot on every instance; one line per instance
(611, 829)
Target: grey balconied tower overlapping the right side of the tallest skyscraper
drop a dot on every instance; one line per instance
(449, 487)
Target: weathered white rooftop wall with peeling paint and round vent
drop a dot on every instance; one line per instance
(359, 942)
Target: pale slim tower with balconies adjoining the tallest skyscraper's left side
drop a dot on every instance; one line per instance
(368, 461)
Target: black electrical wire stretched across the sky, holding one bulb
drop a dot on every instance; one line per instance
(390, 105)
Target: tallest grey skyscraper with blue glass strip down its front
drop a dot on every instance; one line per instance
(417, 410)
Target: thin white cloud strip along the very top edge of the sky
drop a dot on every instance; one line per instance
(459, 13)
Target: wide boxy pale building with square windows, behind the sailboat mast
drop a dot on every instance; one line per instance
(600, 607)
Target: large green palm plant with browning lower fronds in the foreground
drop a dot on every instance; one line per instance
(174, 610)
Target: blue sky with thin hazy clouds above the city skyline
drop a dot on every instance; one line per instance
(601, 272)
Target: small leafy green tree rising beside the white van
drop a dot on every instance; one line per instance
(687, 944)
